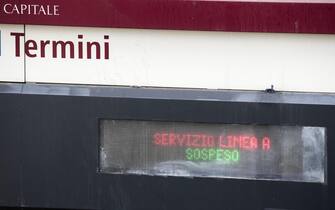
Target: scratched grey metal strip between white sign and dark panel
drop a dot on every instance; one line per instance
(169, 93)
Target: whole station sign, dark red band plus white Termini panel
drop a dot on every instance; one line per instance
(131, 43)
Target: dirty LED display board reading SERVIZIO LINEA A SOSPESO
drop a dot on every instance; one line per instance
(287, 153)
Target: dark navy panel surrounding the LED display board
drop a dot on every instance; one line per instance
(49, 155)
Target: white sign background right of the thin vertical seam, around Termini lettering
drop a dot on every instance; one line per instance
(163, 58)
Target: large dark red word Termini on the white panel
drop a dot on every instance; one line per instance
(69, 49)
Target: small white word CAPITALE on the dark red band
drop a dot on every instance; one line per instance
(31, 9)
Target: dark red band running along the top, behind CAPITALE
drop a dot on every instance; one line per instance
(188, 15)
